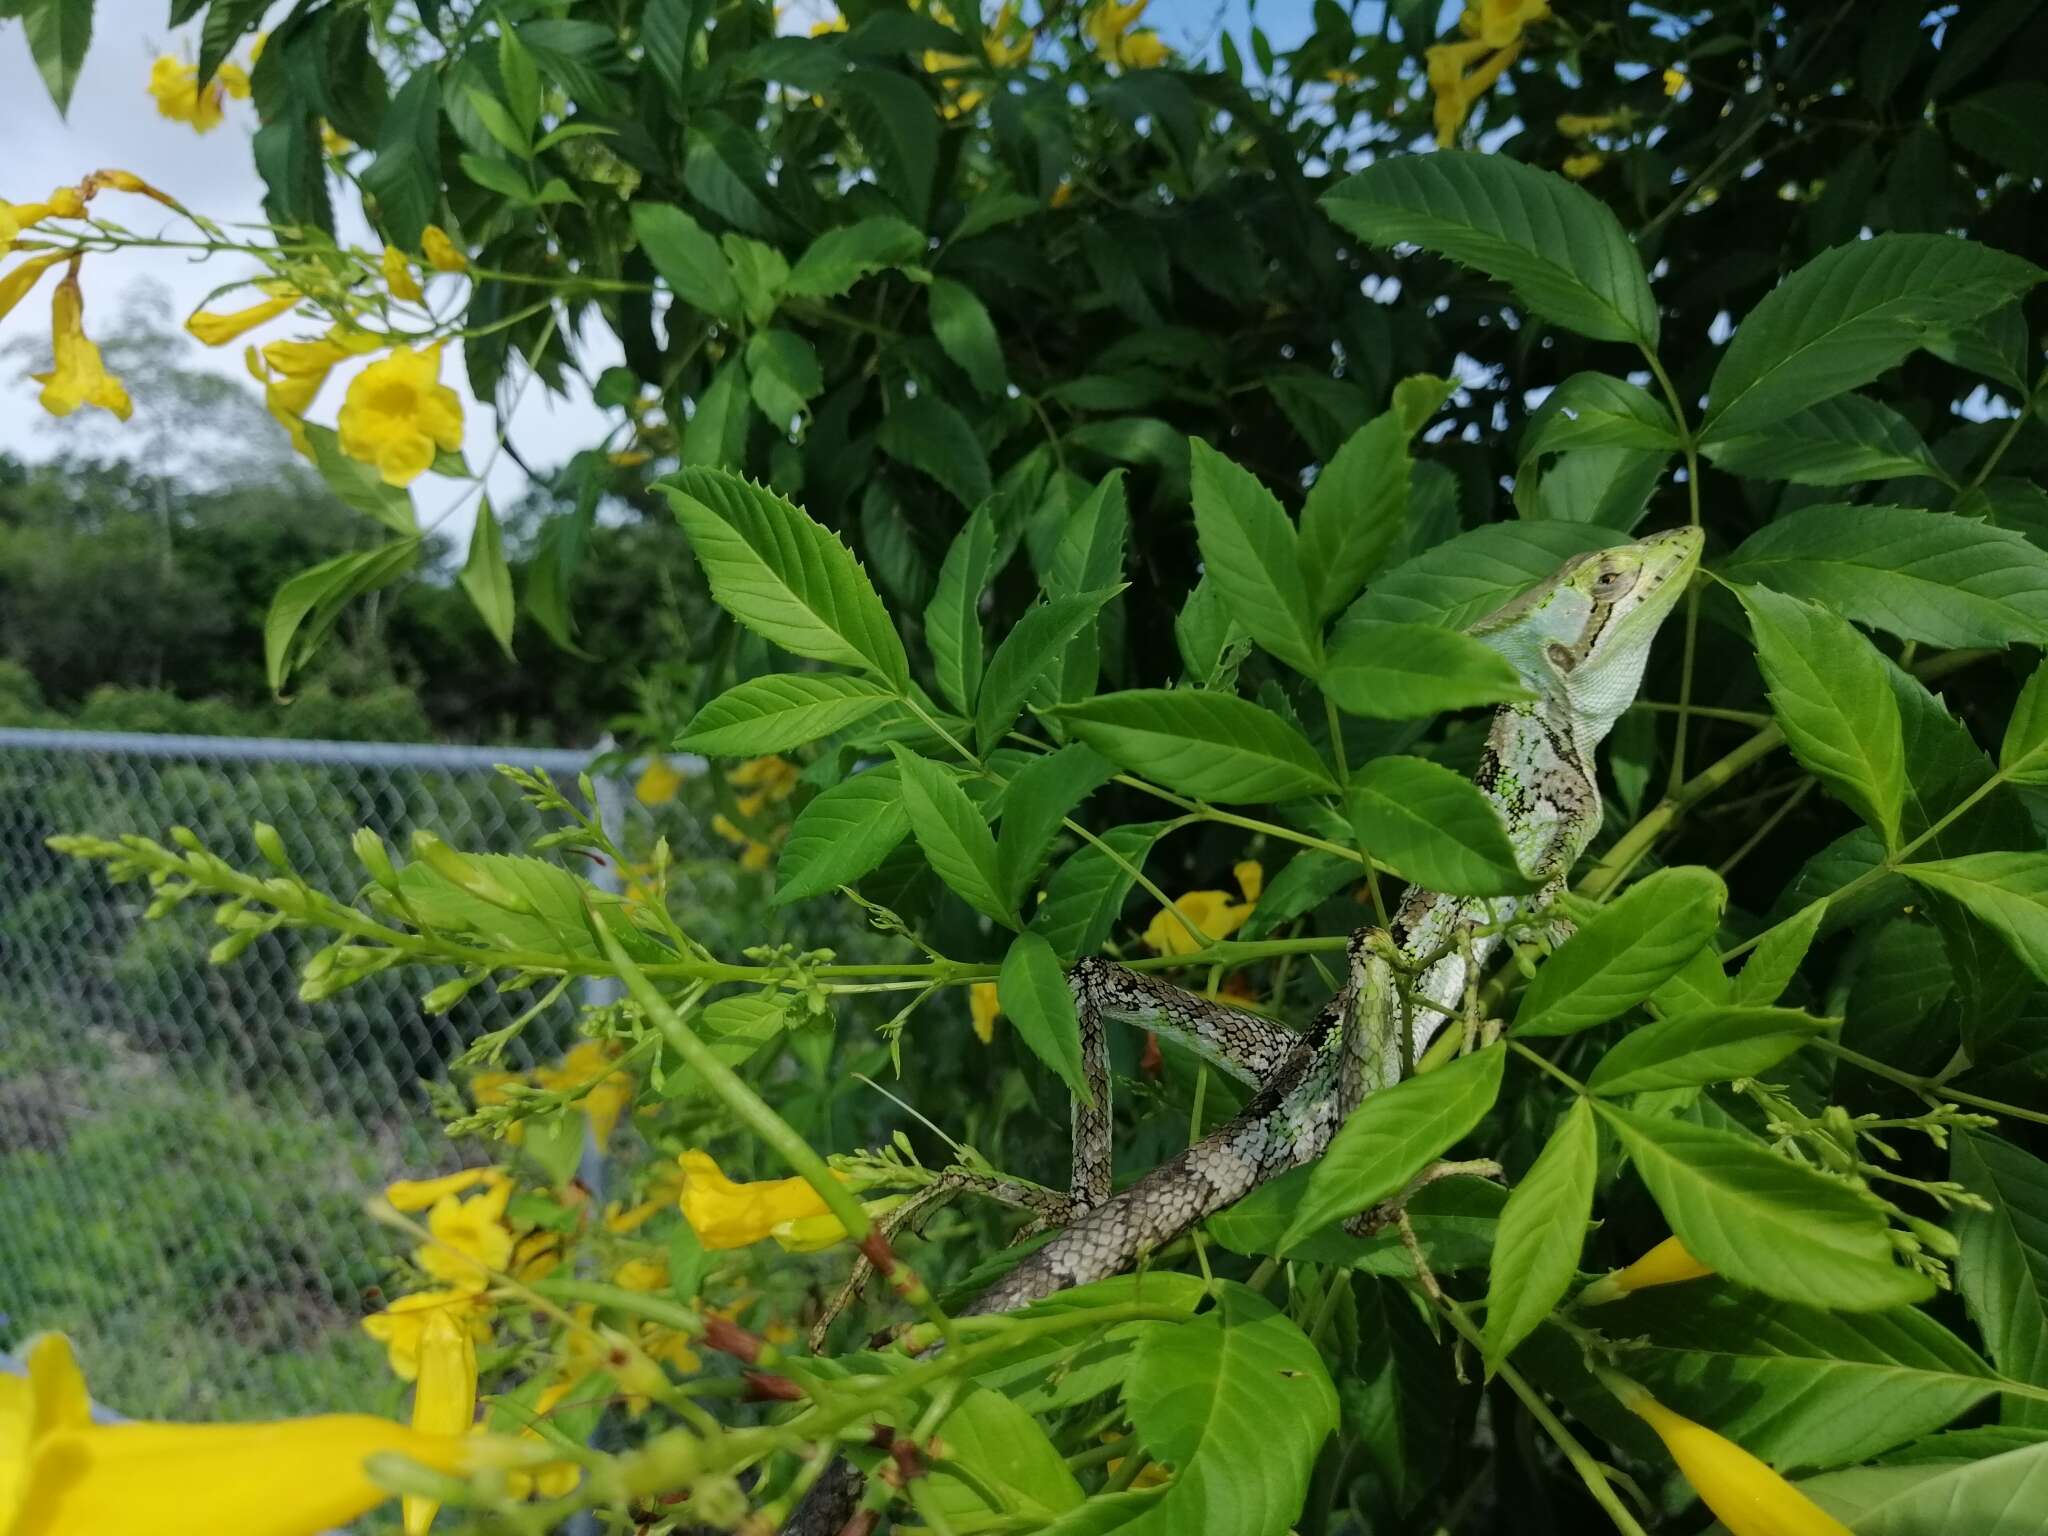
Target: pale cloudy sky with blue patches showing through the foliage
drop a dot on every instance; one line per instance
(114, 122)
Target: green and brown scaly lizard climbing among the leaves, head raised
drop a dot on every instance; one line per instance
(1580, 644)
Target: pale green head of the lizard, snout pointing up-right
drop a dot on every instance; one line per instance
(1582, 638)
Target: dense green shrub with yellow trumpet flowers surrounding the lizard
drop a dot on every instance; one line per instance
(1181, 421)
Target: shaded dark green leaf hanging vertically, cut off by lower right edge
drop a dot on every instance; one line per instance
(2004, 1267)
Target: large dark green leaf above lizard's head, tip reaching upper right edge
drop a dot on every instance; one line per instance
(1848, 316)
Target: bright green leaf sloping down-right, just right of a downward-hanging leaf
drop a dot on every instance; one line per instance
(1766, 1222)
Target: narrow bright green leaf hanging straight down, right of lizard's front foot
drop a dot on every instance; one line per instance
(1543, 1232)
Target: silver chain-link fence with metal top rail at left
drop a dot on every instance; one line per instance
(185, 1150)
